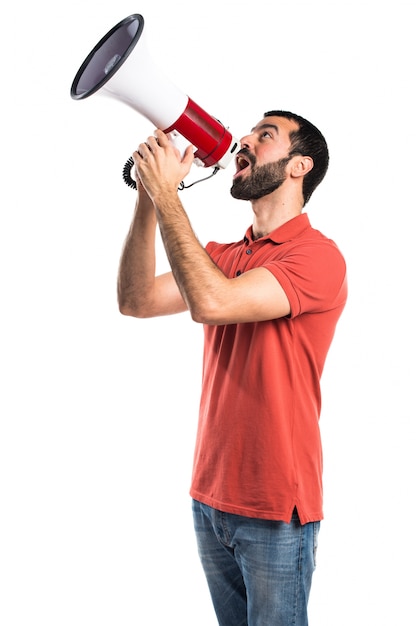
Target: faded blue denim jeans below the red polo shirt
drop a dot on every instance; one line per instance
(259, 572)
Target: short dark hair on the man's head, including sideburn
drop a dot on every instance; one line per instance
(307, 141)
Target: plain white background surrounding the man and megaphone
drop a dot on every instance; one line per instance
(98, 411)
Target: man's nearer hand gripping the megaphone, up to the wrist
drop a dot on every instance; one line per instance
(160, 166)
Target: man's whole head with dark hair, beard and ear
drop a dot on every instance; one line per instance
(281, 138)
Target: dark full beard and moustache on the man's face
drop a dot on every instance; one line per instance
(262, 180)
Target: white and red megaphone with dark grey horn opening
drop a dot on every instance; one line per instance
(119, 66)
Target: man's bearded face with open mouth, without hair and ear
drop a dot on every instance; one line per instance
(261, 162)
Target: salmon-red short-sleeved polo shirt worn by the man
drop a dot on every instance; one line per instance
(258, 447)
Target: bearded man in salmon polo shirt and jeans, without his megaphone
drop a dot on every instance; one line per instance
(269, 304)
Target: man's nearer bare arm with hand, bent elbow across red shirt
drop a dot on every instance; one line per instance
(211, 297)
